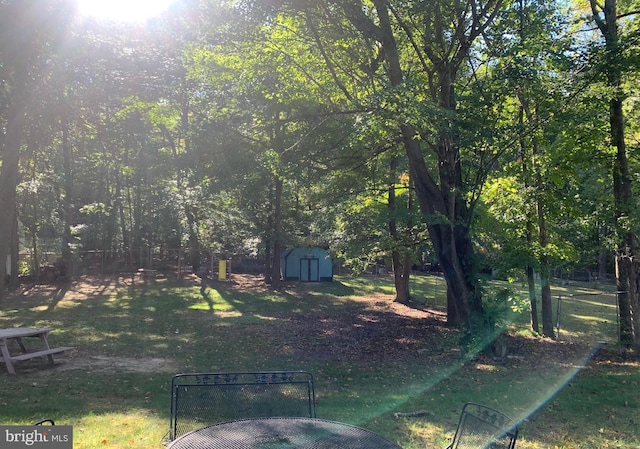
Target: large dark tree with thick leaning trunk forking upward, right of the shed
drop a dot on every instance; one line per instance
(419, 50)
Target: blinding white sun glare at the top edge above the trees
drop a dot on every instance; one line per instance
(122, 10)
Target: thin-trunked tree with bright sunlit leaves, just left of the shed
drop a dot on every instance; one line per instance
(272, 109)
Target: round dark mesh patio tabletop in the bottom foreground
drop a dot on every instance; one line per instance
(282, 433)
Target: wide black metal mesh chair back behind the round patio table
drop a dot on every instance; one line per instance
(200, 399)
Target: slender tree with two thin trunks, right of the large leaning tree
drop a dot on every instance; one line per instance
(532, 63)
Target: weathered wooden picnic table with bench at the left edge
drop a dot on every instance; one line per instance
(16, 335)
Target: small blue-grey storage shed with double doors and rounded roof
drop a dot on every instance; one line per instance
(311, 264)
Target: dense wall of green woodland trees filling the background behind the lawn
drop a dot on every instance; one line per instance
(472, 136)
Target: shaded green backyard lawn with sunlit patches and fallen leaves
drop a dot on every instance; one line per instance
(374, 361)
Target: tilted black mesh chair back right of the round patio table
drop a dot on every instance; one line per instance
(481, 427)
